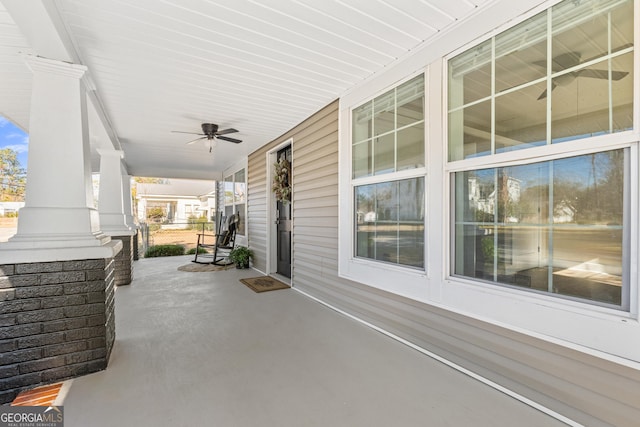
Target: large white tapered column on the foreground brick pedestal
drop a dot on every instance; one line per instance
(58, 221)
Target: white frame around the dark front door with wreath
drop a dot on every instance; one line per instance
(272, 233)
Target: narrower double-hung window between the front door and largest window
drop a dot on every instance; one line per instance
(388, 158)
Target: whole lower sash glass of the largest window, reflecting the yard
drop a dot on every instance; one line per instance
(574, 249)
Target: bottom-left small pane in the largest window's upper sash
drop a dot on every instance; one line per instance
(470, 132)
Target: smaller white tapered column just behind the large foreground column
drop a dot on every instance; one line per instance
(111, 199)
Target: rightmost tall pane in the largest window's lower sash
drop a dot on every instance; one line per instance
(587, 232)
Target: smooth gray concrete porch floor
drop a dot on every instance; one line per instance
(202, 349)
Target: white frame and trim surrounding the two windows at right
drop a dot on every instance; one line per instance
(600, 331)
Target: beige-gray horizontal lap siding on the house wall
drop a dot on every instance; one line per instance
(588, 389)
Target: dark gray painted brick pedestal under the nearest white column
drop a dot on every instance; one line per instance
(56, 322)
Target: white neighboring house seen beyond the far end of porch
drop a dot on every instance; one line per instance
(176, 201)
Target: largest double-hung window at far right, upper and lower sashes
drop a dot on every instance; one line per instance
(558, 226)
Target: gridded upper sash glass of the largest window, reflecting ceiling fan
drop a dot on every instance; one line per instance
(585, 81)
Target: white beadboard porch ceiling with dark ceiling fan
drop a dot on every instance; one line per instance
(258, 66)
